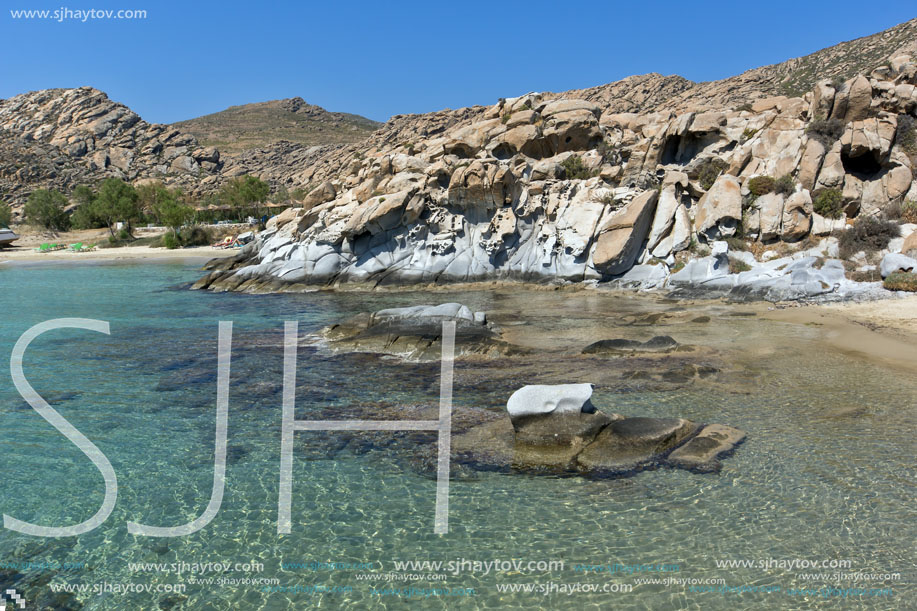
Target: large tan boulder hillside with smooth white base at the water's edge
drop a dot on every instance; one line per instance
(563, 188)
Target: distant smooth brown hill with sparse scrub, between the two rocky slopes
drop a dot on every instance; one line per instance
(256, 126)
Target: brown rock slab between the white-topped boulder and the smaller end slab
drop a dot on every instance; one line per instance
(631, 443)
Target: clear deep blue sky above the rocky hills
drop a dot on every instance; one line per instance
(381, 58)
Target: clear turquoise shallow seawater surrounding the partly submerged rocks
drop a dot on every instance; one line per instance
(827, 473)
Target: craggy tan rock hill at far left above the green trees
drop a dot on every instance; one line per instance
(59, 138)
